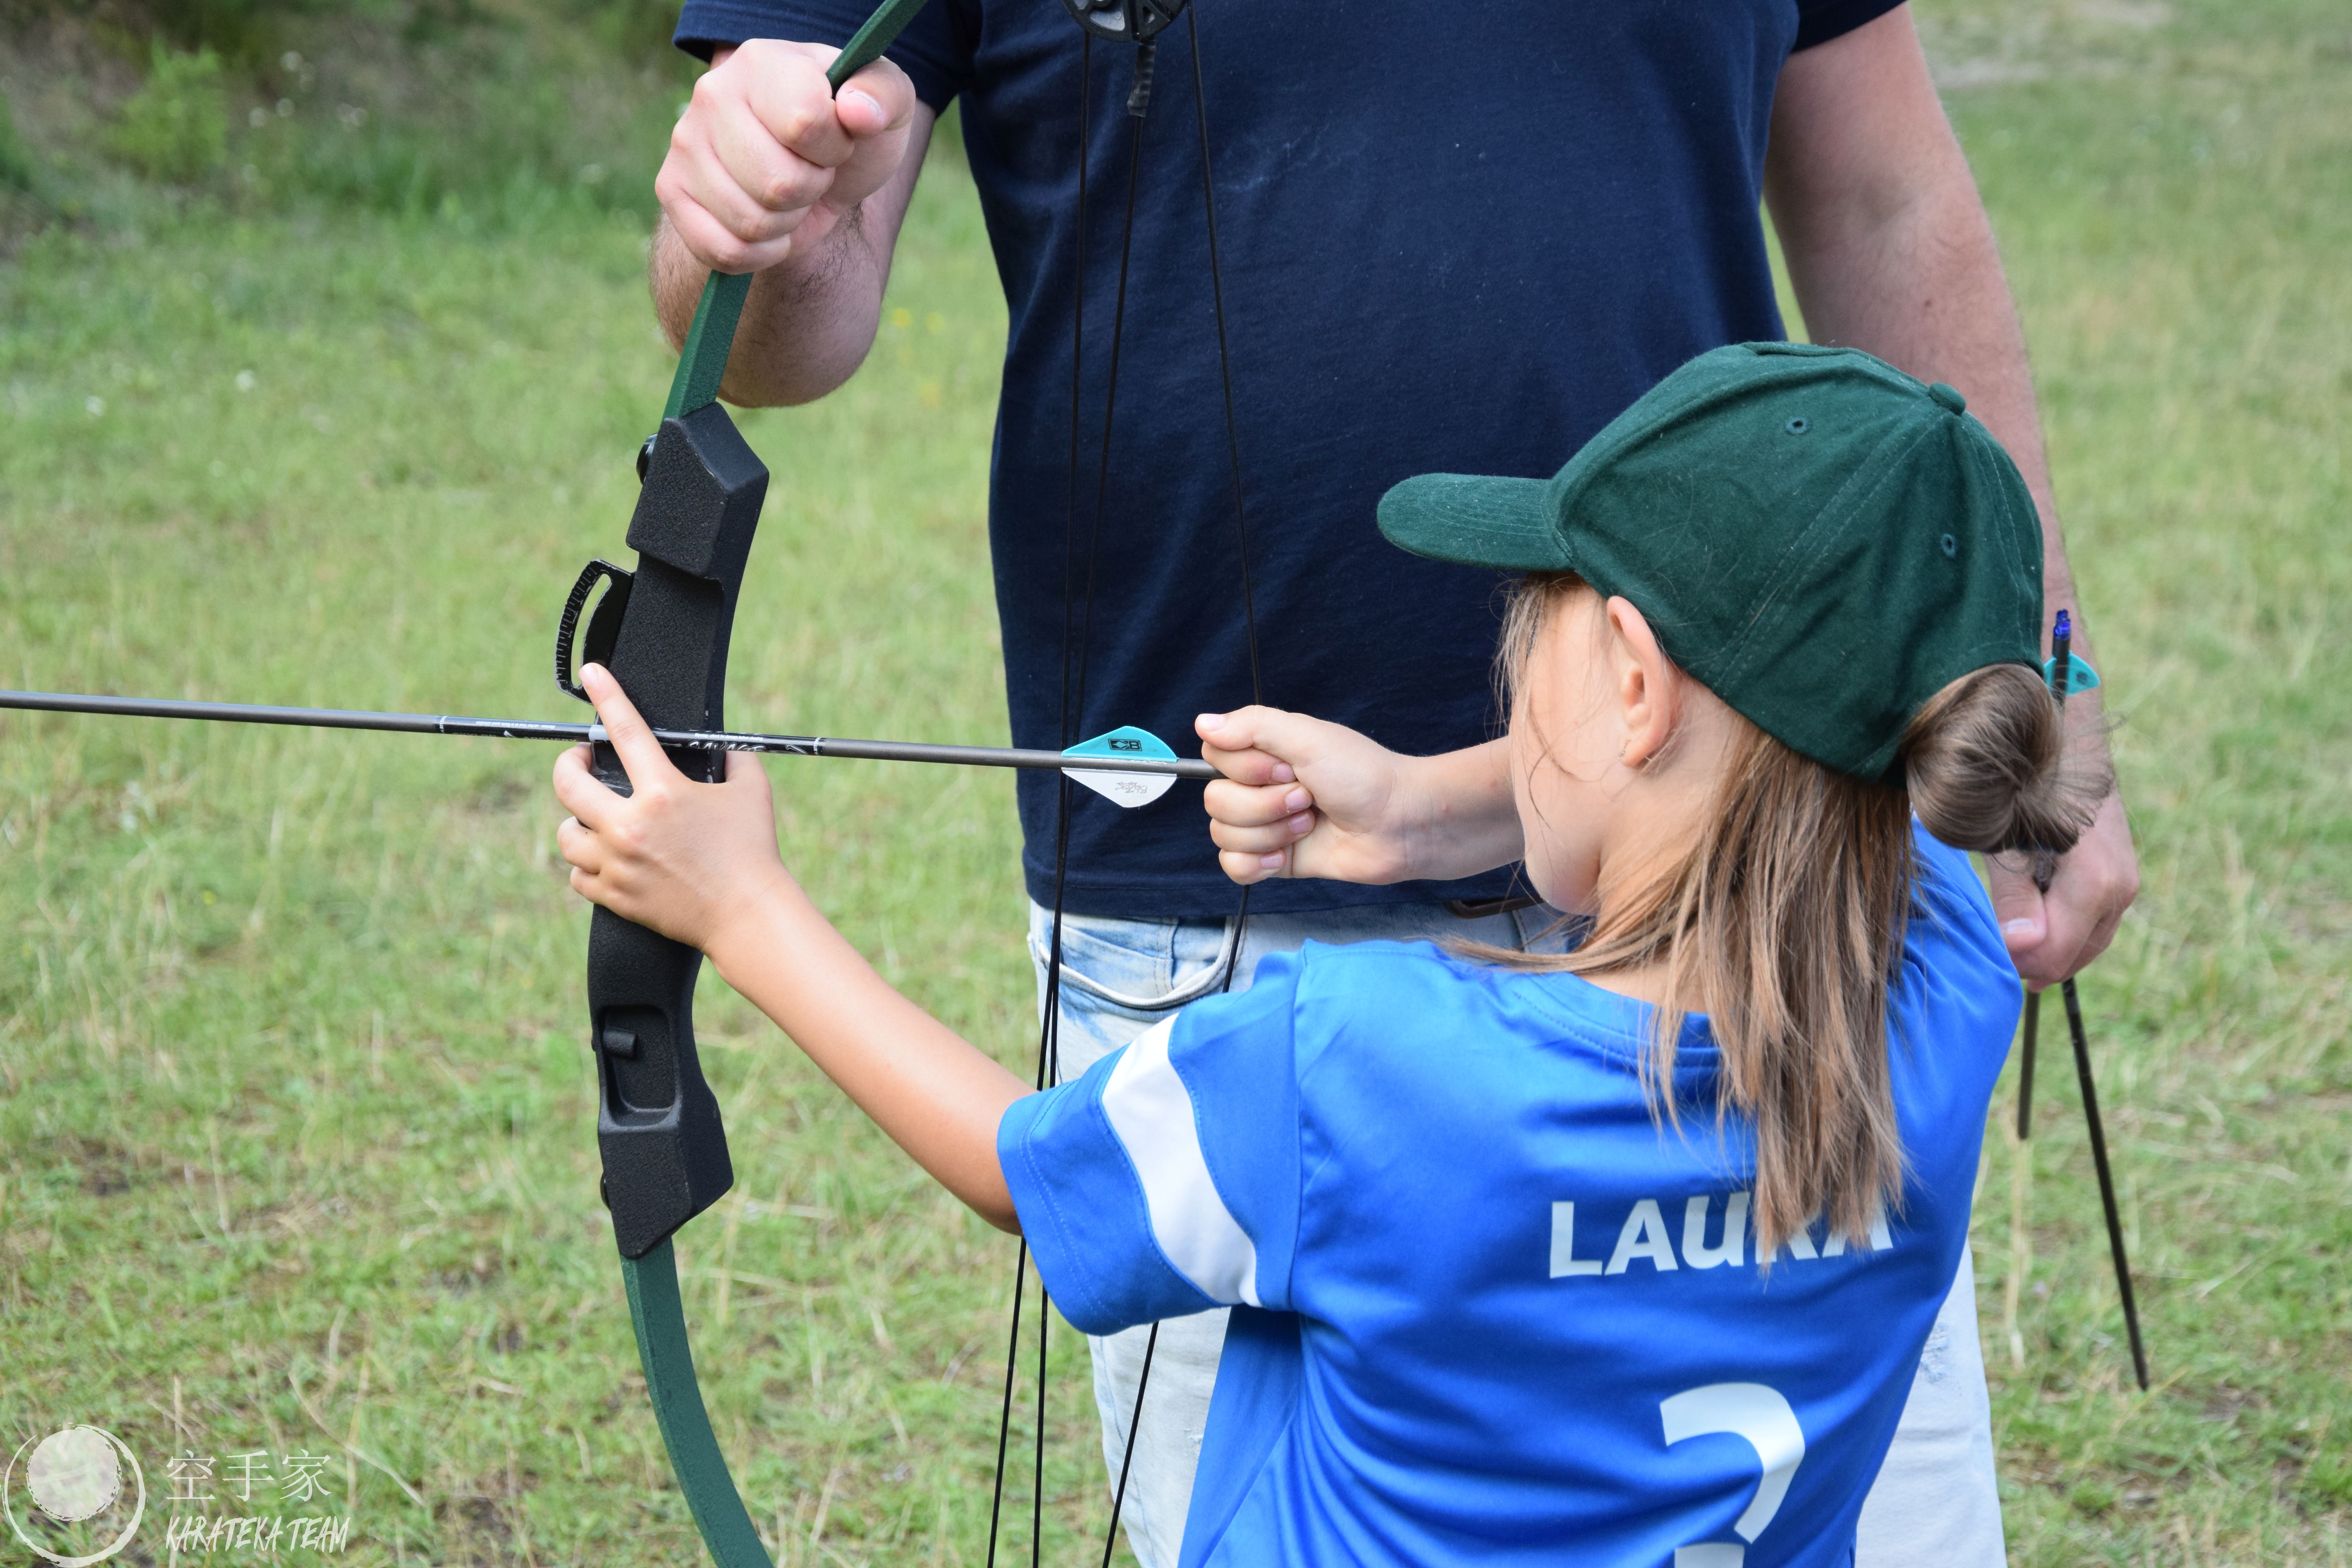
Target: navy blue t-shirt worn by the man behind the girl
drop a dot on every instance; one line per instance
(1452, 239)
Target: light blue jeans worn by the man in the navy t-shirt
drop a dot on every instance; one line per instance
(1935, 1501)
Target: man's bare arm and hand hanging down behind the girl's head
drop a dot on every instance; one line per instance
(1890, 250)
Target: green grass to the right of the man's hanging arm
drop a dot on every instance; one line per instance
(2174, 203)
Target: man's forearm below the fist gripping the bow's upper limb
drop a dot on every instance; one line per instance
(810, 319)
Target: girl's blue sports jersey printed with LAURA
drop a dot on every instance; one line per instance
(1485, 1306)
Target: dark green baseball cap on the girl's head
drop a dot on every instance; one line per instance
(1812, 535)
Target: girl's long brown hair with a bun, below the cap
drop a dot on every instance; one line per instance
(1789, 911)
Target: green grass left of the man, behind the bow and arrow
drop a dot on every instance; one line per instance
(290, 1024)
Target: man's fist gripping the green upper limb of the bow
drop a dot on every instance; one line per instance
(768, 159)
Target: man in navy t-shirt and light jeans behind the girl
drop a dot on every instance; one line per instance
(1452, 239)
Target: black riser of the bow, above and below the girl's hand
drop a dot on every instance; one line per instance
(657, 1123)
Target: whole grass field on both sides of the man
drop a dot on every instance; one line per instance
(295, 1115)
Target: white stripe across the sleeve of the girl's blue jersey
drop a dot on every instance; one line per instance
(1154, 1118)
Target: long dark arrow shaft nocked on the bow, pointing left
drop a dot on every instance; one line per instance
(540, 730)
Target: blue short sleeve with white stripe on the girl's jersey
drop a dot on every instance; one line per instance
(1168, 1179)
